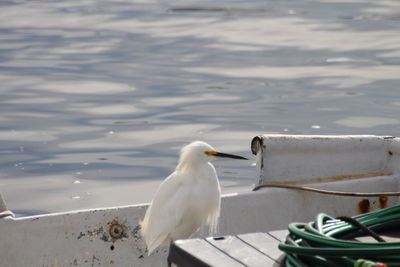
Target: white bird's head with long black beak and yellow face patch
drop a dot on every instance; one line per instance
(199, 152)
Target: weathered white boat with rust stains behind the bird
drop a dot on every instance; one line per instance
(110, 236)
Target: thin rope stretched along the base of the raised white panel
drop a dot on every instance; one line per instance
(328, 192)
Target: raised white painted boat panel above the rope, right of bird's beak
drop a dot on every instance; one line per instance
(296, 157)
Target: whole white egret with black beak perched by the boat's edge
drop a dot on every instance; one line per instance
(186, 199)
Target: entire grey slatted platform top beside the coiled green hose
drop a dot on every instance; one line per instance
(252, 249)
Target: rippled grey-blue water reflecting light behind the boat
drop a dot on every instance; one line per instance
(98, 97)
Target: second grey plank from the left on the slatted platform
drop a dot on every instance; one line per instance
(241, 251)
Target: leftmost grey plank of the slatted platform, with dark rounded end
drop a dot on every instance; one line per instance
(199, 252)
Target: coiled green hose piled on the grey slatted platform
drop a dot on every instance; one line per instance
(330, 242)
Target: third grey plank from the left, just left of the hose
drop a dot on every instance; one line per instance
(264, 243)
